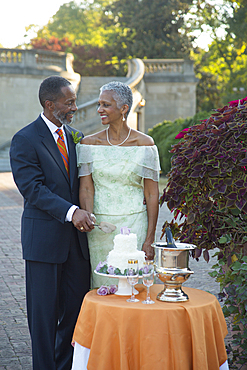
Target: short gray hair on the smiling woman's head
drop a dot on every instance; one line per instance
(122, 93)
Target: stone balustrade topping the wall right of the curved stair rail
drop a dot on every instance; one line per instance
(168, 66)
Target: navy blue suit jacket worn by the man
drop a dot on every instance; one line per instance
(48, 193)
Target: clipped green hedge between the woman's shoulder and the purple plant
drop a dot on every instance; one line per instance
(164, 136)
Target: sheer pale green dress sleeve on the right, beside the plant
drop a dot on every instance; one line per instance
(148, 164)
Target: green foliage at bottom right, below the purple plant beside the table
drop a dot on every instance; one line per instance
(234, 296)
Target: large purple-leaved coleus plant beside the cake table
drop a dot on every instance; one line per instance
(207, 183)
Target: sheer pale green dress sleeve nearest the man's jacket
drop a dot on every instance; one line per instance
(84, 159)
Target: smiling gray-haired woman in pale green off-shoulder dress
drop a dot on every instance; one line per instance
(112, 164)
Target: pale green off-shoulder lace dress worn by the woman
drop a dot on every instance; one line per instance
(118, 173)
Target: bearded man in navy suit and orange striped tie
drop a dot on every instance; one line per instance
(53, 239)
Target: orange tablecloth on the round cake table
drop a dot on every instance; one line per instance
(162, 336)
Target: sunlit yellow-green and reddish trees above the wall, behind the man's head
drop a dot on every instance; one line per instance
(80, 26)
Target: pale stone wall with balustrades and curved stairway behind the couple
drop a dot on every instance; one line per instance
(162, 89)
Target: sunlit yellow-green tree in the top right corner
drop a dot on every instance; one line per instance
(222, 69)
